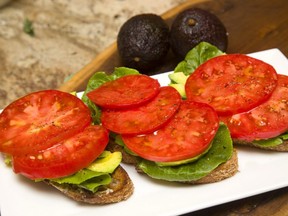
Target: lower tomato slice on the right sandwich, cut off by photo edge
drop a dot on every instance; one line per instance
(268, 120)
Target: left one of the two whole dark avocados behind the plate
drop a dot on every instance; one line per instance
(143, 41)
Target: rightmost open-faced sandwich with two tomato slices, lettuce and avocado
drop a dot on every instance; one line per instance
(252, 105)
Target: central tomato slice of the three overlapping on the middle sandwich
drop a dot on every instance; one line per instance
(146, 118)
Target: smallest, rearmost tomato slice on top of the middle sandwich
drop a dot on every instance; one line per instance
(125, 92)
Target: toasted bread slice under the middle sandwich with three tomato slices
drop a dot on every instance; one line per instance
(223, 171)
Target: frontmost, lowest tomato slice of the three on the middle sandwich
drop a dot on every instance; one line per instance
(188, 134)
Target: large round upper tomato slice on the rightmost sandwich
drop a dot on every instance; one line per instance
(232, 83)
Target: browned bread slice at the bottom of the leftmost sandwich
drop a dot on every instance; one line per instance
(120, 189)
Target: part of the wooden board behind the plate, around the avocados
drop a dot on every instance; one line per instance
(252, 26)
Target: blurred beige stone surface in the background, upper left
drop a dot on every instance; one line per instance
(68, 34)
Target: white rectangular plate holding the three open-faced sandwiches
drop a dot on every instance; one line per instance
(259, 172)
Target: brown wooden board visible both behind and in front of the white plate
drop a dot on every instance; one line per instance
(253, 25)
